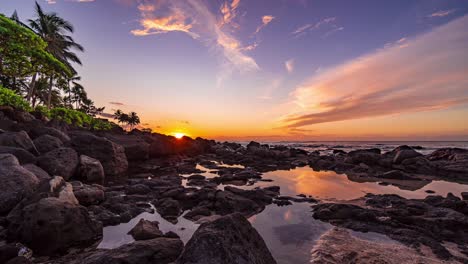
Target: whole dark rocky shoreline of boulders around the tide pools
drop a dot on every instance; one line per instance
(63, 184)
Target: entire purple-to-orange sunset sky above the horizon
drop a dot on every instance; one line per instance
(276, 69)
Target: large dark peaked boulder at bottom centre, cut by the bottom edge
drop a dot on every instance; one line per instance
(229, 239)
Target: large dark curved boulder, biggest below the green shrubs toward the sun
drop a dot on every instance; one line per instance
(112, 156)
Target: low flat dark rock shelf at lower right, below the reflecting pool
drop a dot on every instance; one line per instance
(428, 221)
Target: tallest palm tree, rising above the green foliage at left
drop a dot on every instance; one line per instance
(53, 29)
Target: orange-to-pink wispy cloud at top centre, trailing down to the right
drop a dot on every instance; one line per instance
(196, 19)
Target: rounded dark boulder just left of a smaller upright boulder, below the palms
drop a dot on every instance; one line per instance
(62, 162)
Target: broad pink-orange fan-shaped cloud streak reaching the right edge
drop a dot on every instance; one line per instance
(429, 73)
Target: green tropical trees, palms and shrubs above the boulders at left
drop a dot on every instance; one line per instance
(37, 73)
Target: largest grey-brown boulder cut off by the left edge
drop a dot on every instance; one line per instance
(17, 182)
